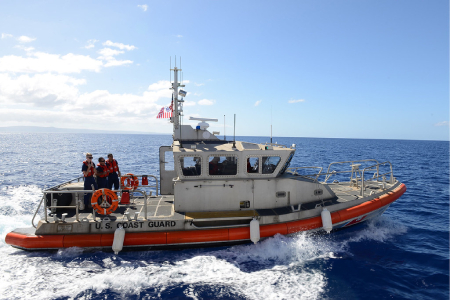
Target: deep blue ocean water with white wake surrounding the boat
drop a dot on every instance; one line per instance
(403, 254)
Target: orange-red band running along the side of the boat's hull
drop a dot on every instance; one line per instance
(27, 240)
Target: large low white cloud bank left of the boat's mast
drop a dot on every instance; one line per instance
(55, 99)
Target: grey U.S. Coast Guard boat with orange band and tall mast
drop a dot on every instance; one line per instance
(212, 192)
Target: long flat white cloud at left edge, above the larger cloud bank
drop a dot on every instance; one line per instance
(40, 62)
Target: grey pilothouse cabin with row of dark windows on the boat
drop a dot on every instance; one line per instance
(217, 175)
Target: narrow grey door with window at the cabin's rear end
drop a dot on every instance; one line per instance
(166, 170)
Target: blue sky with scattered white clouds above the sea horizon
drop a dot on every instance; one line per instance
(339, 69)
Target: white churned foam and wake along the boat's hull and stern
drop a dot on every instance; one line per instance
(276, 268)
